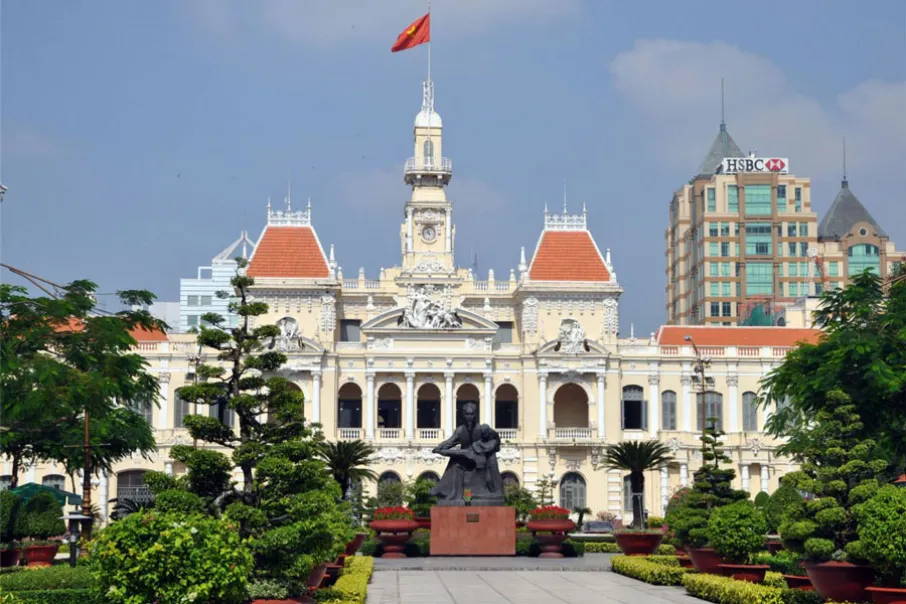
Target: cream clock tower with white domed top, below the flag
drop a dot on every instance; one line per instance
(427, 232)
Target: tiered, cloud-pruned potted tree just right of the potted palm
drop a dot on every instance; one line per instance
(687, 516)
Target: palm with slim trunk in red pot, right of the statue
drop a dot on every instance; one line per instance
(637, 458)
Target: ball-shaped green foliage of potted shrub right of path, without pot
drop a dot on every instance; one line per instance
(736, 531)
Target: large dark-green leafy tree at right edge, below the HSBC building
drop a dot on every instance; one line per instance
(862, 353)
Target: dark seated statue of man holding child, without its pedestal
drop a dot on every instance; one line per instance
(473, 464)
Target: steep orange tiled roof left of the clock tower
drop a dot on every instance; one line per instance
(288, 252)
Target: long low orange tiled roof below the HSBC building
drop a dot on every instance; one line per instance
(672, 335)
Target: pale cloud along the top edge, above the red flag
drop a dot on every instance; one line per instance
(324, 23)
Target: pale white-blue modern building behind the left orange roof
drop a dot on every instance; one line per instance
(199, 295)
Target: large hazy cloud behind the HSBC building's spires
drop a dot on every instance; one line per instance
(676, 86)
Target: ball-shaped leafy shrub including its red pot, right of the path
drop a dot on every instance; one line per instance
(736, 532)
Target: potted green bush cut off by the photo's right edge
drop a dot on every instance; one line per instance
(882, 540)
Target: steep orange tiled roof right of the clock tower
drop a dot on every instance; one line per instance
(567, 256)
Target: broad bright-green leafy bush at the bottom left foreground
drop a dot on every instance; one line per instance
(164, 558)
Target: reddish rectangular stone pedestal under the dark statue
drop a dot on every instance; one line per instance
(473, 531)
